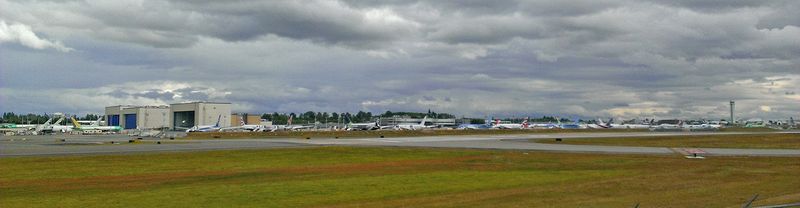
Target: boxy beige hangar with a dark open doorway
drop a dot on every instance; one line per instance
(187, 115)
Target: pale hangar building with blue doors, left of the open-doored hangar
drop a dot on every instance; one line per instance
(137, 117)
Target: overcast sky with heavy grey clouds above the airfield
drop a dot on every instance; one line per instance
(626, 59)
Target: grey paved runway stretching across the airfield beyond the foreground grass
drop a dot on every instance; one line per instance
(52, 145)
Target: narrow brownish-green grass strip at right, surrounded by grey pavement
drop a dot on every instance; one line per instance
(777, 141)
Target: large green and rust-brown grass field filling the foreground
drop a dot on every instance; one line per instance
(393, 177)
